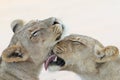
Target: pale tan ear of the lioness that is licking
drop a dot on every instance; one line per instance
(106, 54)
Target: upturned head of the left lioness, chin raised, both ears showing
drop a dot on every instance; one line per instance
(32, 41)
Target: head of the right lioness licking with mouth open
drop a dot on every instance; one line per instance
(80, 54)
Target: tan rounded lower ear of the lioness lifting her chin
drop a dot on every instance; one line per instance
(15, 53)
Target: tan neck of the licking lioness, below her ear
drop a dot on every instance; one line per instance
(108, 71)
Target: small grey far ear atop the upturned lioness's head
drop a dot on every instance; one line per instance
(16, 25)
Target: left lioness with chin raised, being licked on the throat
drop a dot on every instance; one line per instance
(30, 44)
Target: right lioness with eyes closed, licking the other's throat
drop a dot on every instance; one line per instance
(85, 56)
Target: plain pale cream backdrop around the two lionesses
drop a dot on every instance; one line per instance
(99, 19)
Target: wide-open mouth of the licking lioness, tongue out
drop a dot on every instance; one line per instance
(53, 60)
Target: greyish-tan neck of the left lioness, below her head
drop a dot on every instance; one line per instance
(19, 71)
